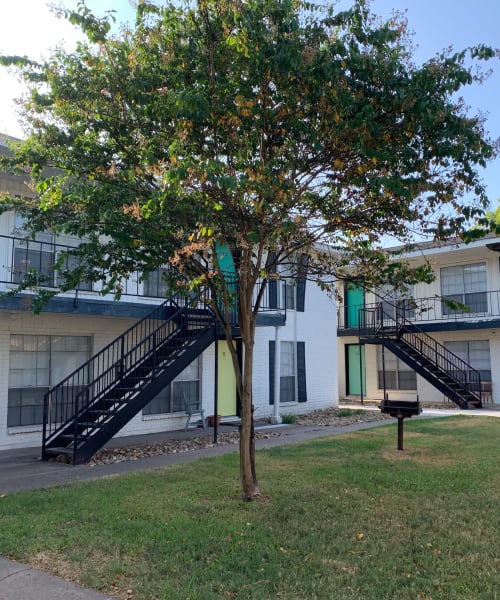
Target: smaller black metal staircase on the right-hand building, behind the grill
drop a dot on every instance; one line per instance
(447, 372)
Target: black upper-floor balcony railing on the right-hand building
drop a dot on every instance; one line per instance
(478, 306)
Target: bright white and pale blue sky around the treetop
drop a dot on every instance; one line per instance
(28, 27)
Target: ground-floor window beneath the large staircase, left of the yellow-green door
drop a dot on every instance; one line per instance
(170, 399)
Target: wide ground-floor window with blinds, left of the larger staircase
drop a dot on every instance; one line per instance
(37, 362)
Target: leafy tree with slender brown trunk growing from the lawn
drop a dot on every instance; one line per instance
(264, 126)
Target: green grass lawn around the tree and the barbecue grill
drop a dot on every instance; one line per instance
(348, 517)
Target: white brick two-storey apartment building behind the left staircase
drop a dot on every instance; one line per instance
(84, 352)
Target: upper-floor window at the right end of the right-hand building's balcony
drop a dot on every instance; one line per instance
(467, 285)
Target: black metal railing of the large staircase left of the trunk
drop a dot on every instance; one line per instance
(76, 392)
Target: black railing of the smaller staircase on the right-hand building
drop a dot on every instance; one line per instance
(375, 322)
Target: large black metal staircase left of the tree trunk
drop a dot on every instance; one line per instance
(91, 405)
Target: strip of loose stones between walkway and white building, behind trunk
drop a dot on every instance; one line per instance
(331, 416)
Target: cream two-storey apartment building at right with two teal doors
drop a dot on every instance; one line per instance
(437, 342)
